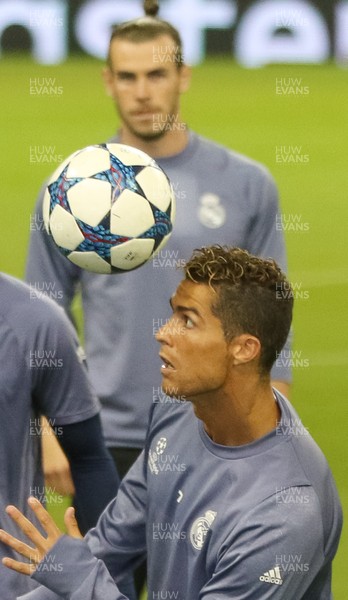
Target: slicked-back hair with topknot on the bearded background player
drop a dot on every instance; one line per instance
(148, 28)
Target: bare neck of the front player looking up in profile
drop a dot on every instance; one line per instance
(239, 416)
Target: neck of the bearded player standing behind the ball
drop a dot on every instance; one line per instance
(170, 143)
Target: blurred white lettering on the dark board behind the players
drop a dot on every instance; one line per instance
(262, 32)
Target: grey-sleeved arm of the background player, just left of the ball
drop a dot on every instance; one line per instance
(47, 270)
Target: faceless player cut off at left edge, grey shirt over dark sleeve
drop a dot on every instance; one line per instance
(42, 373)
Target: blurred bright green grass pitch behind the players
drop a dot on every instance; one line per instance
(243, 110)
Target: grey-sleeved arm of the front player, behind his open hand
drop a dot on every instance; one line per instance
(99, 565)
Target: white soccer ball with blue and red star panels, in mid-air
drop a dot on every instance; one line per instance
(109, 208)
